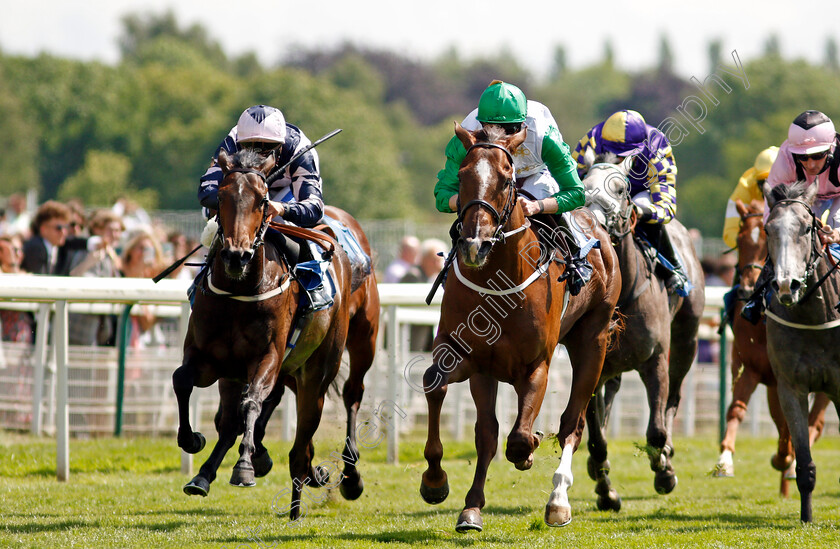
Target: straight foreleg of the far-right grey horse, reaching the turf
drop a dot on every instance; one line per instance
(795, 405)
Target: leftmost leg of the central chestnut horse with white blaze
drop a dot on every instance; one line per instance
(434, 485)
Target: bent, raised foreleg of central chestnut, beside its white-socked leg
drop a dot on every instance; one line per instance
(522, 441)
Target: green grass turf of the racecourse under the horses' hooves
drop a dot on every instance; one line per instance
(127, 493)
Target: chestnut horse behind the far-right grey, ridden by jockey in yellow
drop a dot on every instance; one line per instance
(750, 364)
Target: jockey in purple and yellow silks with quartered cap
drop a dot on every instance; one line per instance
(652, 177)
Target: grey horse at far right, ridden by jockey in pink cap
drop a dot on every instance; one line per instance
(802, 324)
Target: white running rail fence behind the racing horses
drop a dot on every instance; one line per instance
(77, 386)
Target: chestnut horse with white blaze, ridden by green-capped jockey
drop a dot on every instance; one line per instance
(504, 310)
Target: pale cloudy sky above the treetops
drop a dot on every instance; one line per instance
(423, 30)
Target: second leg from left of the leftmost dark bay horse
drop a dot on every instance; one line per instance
(228, 426)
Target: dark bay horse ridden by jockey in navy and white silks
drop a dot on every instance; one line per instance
(239, 334)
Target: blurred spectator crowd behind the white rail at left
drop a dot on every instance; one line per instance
(68, 239)
